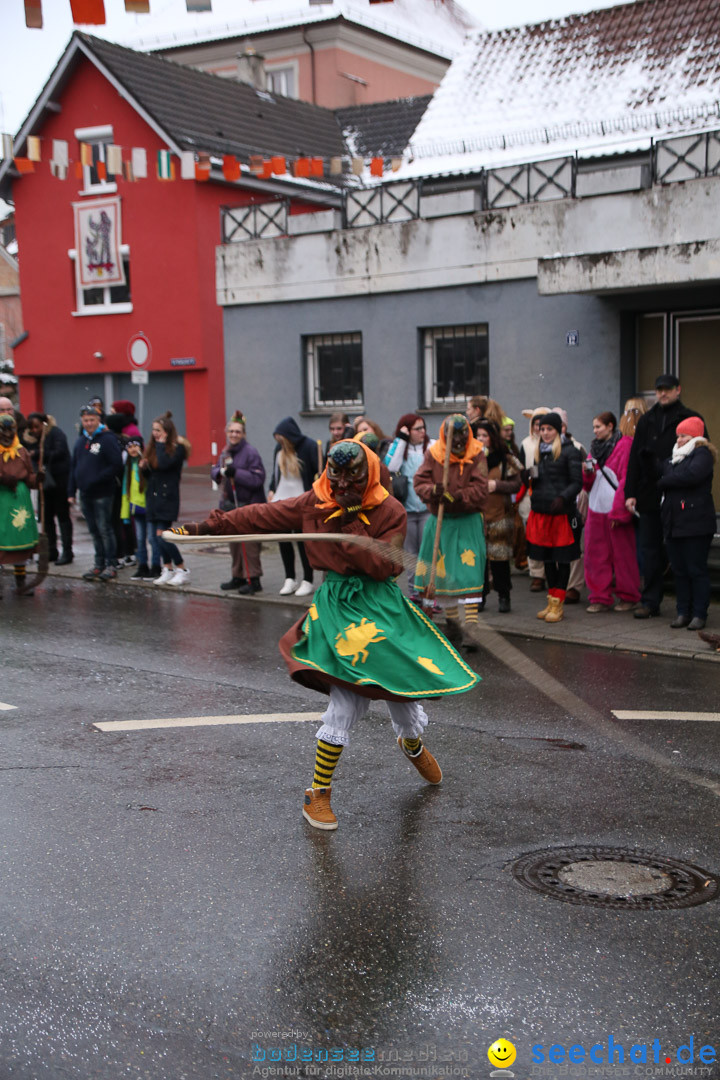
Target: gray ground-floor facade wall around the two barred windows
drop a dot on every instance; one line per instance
(531, 362)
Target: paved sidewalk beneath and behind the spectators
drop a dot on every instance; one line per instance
(210, 565)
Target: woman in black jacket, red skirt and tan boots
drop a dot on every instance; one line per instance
(556, 481)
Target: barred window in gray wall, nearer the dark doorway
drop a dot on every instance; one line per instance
(456, 363)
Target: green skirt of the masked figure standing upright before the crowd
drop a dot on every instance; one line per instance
(460, 571)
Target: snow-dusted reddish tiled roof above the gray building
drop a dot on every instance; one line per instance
(605, 80)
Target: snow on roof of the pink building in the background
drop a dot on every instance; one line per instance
(436, 26)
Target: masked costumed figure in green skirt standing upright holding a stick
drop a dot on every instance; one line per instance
(461, 553)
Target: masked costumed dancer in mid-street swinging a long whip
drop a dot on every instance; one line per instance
(362, 640)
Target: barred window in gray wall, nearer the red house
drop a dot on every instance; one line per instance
(334, 370)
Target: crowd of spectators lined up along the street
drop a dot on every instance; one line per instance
(606, 522)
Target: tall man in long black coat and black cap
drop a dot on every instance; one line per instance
(655, 439)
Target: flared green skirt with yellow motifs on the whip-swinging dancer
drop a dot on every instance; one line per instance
(365, 633)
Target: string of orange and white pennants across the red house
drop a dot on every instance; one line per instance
(193, 167)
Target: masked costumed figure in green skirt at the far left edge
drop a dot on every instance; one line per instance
(19, 530)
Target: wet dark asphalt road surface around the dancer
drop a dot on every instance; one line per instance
(166, 911)
